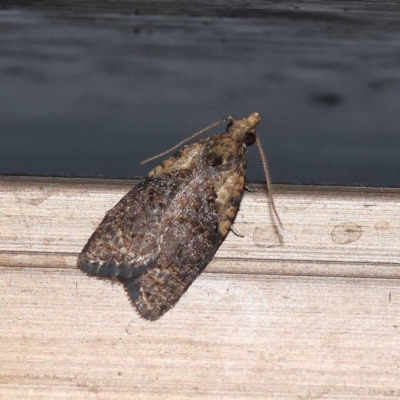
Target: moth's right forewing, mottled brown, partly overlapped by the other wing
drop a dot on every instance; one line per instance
(188, 247)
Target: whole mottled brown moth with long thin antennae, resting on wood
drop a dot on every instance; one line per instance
(165, 231)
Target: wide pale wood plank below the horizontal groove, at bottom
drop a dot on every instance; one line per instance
(64, 335)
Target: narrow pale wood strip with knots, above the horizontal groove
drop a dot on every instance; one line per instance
(328, 231)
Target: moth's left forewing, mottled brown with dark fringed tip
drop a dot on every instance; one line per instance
(127, 242)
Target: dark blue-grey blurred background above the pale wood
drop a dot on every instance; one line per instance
(92, 88)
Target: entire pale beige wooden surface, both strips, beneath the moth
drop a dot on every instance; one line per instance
(310, 312)
